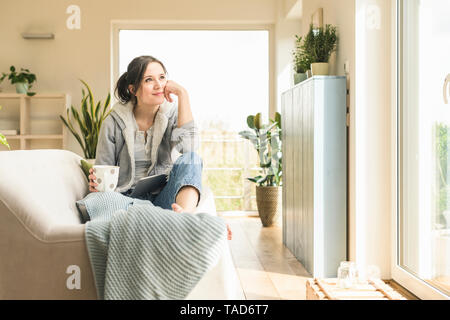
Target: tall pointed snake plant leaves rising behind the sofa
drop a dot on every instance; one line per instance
(89, 121)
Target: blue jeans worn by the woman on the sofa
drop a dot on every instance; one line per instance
(186, 171)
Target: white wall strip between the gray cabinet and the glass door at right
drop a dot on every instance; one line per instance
(371, 225)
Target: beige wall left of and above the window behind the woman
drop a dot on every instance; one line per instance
(86, 53)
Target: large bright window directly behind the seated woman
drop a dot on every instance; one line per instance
(226, 73)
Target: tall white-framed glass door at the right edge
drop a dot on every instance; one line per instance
(424, 143)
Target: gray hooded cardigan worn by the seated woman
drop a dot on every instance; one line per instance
(116, 141)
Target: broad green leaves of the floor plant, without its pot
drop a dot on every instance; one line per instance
(266, 139)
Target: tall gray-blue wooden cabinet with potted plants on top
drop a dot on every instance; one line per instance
(315, 173)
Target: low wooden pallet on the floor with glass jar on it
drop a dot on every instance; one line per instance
(328, 289)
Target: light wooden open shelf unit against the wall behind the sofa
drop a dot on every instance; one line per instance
(28, 139)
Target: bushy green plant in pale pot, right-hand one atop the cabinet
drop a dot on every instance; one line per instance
(318, 45)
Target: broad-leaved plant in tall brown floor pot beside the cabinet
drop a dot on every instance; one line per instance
(267, 142)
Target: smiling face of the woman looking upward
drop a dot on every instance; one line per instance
(151, 90)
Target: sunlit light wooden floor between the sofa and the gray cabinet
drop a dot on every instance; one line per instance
(266, 268)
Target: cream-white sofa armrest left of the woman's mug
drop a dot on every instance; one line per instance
(40, 187)
